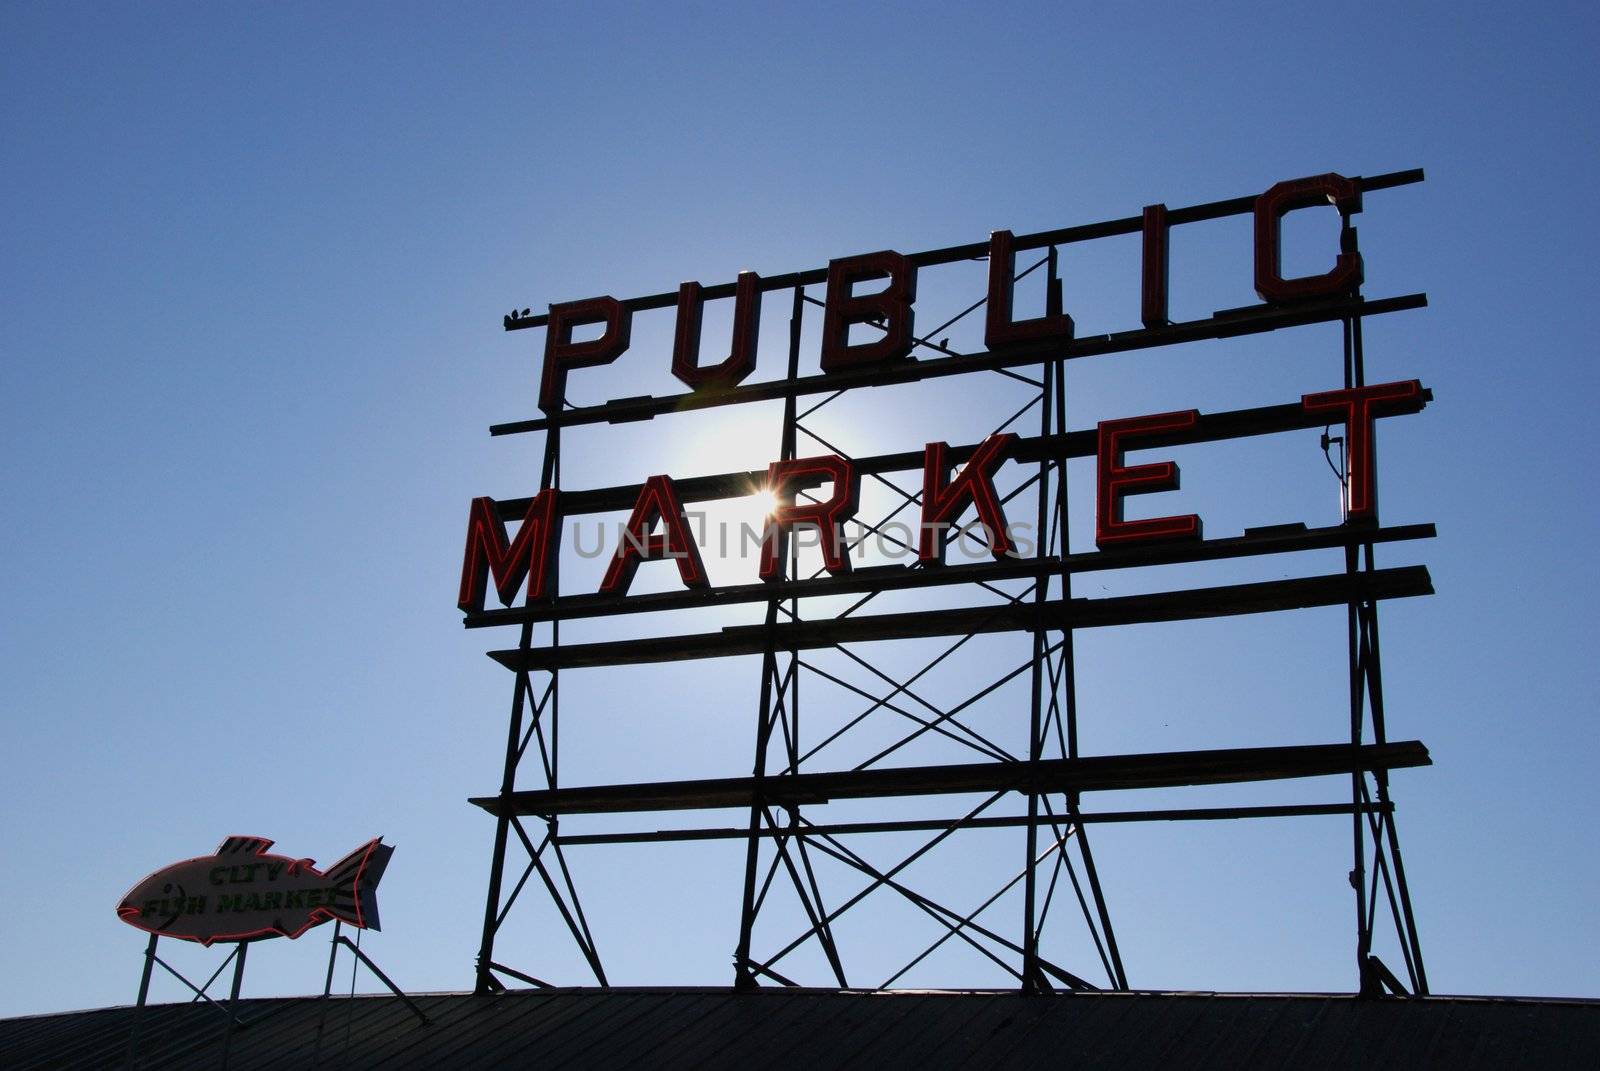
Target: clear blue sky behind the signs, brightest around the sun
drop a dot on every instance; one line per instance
(252, 279)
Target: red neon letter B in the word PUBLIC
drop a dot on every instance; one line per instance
(890, 308)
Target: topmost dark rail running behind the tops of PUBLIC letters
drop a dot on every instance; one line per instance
(978, 251)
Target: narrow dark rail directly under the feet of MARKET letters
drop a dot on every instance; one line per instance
(895, 577)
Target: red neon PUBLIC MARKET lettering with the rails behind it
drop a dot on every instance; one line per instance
(658, 527)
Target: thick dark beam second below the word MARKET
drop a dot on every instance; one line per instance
(1076, 614)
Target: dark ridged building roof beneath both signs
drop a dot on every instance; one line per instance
(818, 1029)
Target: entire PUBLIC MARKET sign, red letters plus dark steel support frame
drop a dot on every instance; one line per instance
(783, 841)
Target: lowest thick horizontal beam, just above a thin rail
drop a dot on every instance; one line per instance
(1170, 769)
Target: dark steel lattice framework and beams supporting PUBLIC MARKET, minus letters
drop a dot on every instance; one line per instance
(782, 796)
